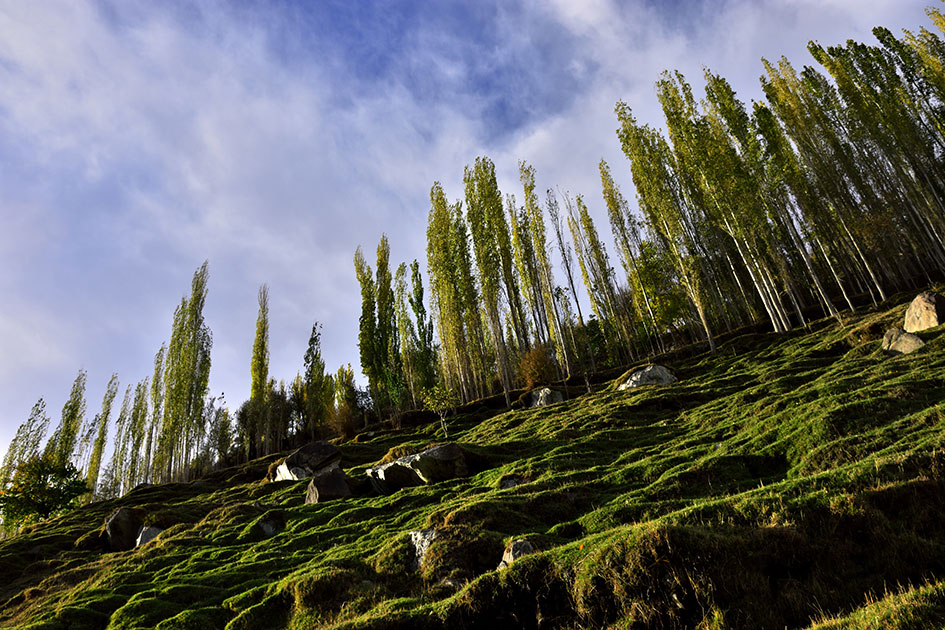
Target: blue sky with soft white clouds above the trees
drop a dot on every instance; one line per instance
(138, 139)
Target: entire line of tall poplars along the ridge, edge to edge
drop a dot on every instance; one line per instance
(828, 193)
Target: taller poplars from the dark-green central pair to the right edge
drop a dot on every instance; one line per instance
(828, 193)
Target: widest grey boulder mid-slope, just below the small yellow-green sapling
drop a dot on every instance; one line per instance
(442, 462)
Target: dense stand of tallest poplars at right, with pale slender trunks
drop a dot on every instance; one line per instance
(828, 190)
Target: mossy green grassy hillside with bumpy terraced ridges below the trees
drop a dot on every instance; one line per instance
(786, 481)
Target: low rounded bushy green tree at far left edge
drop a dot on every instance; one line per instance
(41, 487)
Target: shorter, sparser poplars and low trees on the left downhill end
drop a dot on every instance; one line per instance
(168, 427)
